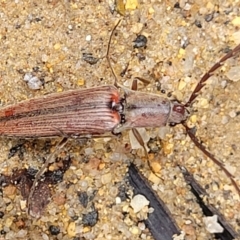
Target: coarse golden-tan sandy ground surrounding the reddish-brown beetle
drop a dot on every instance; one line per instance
(183, 43)
